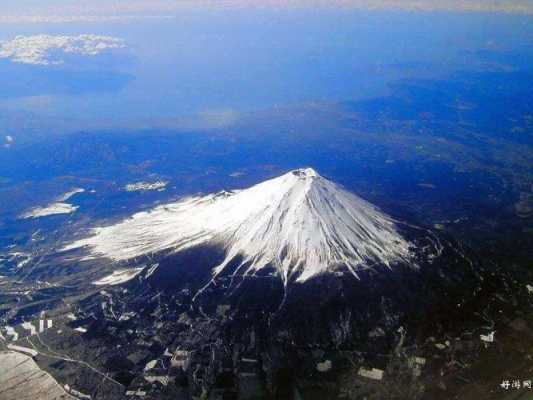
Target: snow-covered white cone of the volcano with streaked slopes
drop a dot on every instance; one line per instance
(299, 223)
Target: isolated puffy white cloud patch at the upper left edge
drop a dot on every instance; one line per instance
(47, 49)
